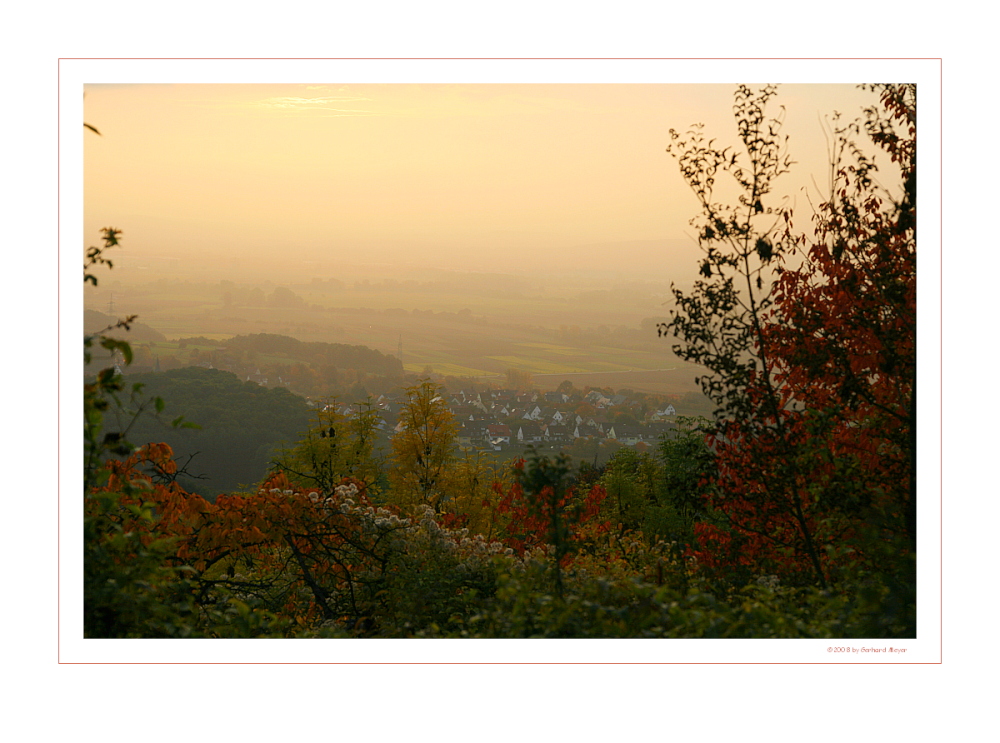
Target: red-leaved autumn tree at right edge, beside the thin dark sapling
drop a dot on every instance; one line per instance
(817, 460)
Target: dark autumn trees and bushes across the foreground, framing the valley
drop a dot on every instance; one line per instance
(790, 512)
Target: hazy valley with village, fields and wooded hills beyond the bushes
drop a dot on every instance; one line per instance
(500, 375)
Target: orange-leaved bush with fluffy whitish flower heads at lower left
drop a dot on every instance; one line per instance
(322, 559)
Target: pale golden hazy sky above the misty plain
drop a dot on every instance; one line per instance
(446, 175)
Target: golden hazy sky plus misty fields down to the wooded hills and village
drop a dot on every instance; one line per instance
(481, 227)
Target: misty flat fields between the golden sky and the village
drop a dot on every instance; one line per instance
(462, 327)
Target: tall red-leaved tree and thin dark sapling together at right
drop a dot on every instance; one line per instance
(809, 343)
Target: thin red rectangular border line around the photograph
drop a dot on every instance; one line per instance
(940, 61)
